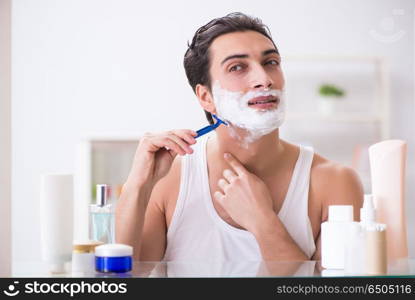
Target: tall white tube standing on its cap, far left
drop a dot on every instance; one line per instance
(56, 220)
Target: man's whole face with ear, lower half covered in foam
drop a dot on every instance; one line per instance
(246, 85)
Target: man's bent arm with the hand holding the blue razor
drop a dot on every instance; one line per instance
(137, 208)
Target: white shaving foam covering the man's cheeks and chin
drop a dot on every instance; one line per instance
(233, 107)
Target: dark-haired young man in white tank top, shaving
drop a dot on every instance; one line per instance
(240, 193)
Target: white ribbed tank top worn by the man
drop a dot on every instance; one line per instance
(198, 233)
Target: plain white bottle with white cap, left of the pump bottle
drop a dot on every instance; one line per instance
(333, 236)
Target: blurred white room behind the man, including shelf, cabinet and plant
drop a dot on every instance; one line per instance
(89, 77)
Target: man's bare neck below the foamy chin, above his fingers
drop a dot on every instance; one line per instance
(261, 157)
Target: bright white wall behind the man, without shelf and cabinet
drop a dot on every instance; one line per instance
(96, 66)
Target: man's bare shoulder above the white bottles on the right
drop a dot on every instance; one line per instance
(335, 183)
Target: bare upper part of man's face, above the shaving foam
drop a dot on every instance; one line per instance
(245, 61)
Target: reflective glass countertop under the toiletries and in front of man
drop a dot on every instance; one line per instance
(398, 268)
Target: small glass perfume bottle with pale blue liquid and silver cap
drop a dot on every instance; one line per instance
(102, 217)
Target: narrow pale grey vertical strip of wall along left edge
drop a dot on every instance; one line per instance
(5, 138)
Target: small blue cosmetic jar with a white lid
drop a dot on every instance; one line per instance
(113, 258)
